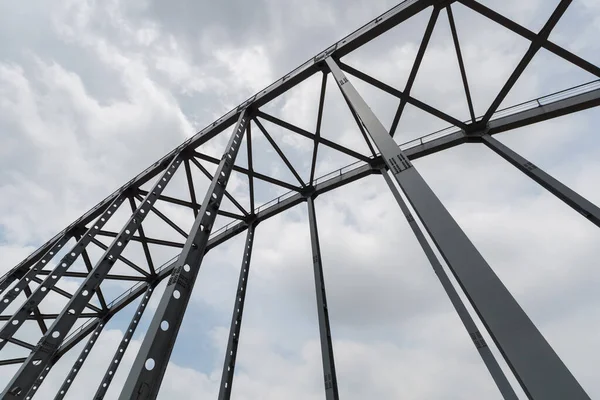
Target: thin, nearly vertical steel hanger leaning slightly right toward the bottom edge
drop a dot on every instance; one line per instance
(331, 389)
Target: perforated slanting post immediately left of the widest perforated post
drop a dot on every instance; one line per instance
(42, 355)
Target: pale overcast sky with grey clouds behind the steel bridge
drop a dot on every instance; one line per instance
(93, 92)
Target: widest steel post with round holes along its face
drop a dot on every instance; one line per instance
(150, 365)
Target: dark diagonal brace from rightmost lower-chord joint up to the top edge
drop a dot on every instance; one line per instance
(535, 46)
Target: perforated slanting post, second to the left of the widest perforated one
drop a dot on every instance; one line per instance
(33, 301)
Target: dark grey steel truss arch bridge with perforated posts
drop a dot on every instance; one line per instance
(535, 365)
